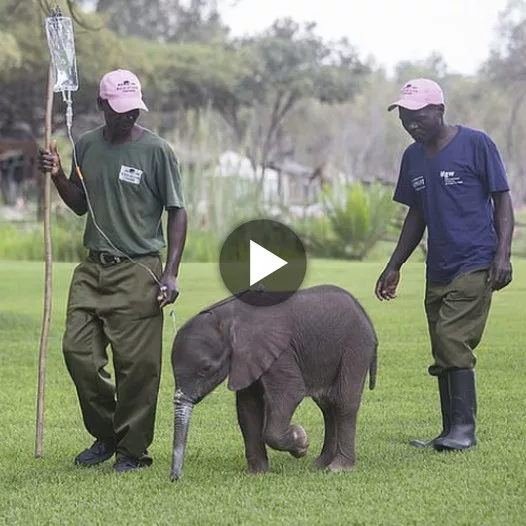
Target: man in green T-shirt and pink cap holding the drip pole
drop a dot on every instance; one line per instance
(126, 177)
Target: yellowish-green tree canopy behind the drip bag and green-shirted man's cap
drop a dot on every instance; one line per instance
(175, 76)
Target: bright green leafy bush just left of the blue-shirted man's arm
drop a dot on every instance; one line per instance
(357, 217)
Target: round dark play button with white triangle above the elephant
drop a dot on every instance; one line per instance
(263, 254)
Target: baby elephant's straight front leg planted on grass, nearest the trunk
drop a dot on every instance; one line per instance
(250, 414)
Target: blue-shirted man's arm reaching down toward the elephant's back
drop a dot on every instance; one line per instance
(411, 234)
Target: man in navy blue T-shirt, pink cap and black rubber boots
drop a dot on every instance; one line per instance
(454, 182)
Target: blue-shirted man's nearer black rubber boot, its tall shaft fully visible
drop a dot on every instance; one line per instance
(461, 435)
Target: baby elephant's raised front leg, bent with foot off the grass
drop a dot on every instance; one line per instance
(283, 394)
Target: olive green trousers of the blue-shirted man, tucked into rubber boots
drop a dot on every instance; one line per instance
(457, 313)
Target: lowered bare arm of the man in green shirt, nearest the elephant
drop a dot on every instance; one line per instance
(176, 233)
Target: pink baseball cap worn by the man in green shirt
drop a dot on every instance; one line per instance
(122, 89)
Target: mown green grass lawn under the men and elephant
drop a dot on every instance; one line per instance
(392, 484)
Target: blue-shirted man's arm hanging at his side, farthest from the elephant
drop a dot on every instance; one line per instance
(501, 270)
